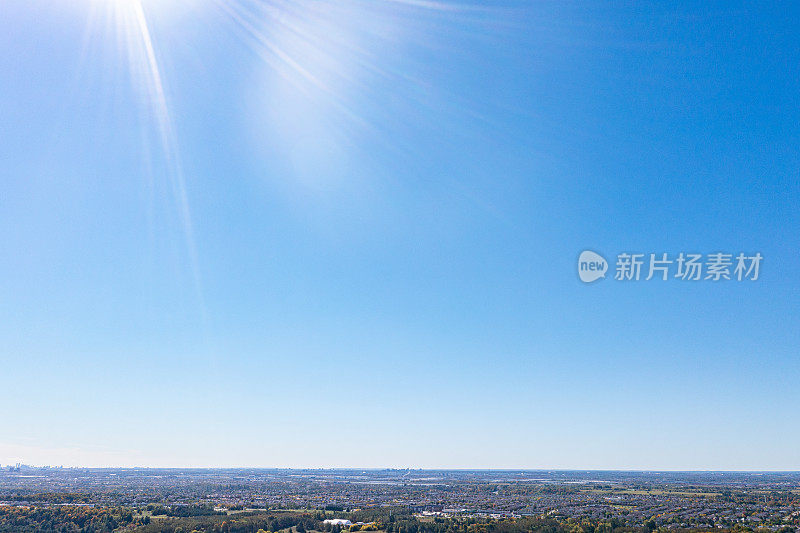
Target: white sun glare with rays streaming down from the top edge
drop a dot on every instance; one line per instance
(321, 49)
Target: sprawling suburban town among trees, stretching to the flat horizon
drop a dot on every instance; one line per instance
(336, 500)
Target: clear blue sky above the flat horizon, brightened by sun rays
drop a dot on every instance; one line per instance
(347, 235)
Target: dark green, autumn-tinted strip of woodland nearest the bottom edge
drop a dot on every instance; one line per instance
(199, 518)
